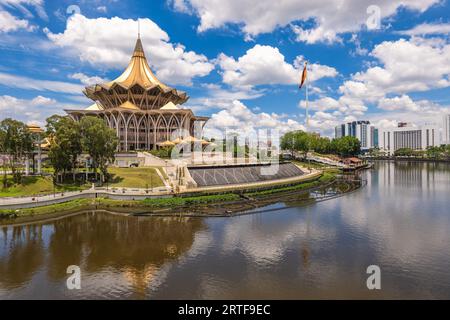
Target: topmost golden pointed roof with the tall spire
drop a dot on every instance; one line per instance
(138, 71)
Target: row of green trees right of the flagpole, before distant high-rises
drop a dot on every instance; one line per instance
(304, 142)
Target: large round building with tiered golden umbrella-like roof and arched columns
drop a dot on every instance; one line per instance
(141, 109)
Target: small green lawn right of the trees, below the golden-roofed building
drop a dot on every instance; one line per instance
(134, 178)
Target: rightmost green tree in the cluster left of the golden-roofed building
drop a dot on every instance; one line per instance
(100, 142)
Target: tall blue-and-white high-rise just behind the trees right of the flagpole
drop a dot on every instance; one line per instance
(362, 130)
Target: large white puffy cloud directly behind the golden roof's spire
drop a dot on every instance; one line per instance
(110, 42)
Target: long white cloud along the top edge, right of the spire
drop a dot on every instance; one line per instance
(330, 17)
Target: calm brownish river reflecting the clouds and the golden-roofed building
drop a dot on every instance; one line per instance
(400, 221)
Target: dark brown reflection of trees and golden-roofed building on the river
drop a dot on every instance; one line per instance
(132, 248)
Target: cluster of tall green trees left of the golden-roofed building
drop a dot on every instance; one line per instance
(68, 140)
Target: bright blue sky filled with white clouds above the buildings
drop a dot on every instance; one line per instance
(239, 60)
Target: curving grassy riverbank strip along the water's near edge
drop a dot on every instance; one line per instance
(205, 204)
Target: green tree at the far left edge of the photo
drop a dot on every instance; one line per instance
(17, 143)
